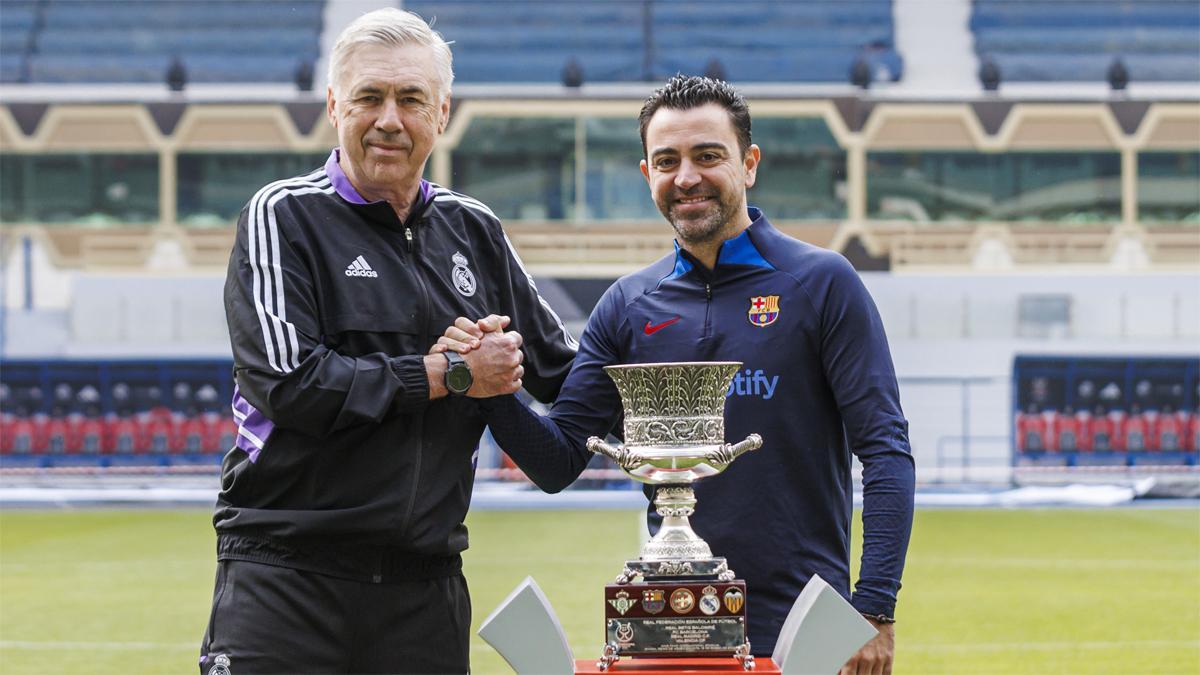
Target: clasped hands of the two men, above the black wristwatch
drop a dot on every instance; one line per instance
(494, 355)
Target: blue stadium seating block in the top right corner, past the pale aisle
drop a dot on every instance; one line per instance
(1078, 40)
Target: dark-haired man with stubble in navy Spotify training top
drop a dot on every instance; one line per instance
(818, 381)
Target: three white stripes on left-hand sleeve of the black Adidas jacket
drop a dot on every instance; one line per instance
(263, 243)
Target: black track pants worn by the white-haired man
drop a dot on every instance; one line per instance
(269, 619)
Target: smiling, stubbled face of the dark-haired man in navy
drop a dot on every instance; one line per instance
(698, 176)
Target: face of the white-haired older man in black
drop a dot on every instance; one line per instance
(388, 114)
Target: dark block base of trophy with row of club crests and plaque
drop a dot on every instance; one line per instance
(682, 618)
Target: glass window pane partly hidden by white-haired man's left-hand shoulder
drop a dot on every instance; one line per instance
(212, 188)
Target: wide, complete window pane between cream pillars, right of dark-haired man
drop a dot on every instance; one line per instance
(1012, 188)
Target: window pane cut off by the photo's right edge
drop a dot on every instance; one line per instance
(1169, 188)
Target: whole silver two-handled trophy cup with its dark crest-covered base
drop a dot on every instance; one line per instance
(677, 599)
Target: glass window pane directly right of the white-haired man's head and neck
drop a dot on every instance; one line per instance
(521, 168)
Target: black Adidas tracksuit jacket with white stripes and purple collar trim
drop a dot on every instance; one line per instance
(344, 465)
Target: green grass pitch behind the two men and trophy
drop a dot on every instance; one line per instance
(986, 592)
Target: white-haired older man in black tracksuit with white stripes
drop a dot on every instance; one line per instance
(340, 521)
